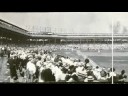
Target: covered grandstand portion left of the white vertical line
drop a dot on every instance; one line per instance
(12, 33)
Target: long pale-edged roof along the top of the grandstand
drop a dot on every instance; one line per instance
(14, 28)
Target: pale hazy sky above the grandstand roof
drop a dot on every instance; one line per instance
(70, 22)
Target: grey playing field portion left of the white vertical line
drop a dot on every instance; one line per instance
(103, 59)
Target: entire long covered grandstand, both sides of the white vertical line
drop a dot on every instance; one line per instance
(13, 33)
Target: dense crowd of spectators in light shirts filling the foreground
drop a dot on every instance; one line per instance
(40, 64)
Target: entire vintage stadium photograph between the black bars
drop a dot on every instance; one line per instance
(66, 47)
